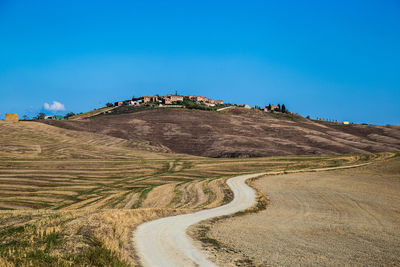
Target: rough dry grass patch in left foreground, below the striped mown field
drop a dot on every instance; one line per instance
(76, 237)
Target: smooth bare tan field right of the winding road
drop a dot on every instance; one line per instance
(346, 217)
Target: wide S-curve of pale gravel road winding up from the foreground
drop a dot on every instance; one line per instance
(164, 242)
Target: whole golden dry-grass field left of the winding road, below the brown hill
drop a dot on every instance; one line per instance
(72, 198)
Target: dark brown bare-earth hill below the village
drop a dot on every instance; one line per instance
(239, 133)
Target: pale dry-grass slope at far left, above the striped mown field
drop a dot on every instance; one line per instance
(33, 140)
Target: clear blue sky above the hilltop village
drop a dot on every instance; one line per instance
(331, 59)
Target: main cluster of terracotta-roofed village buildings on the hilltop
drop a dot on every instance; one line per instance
(169, 100)
